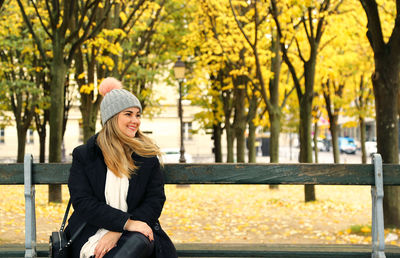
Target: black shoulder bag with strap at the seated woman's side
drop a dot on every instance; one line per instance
(59, 243)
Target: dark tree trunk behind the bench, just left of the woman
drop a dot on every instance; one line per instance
(58, 73)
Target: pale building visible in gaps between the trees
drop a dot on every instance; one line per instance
(164, 128)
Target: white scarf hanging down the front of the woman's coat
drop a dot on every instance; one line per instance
(116, 191)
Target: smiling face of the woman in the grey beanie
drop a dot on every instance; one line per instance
(129, 121)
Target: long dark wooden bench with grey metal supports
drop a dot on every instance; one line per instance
(292, 174)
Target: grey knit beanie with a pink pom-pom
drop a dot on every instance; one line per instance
(115, 99)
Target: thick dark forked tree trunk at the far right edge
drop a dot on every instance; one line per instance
(385, 81)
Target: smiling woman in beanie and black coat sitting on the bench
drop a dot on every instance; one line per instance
(116, 185)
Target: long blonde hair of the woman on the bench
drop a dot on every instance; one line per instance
(117, 148)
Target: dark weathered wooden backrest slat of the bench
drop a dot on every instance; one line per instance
(324, 174)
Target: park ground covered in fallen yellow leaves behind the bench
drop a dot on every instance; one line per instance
(227, 213)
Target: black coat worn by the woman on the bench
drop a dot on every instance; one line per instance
(145, 198)
